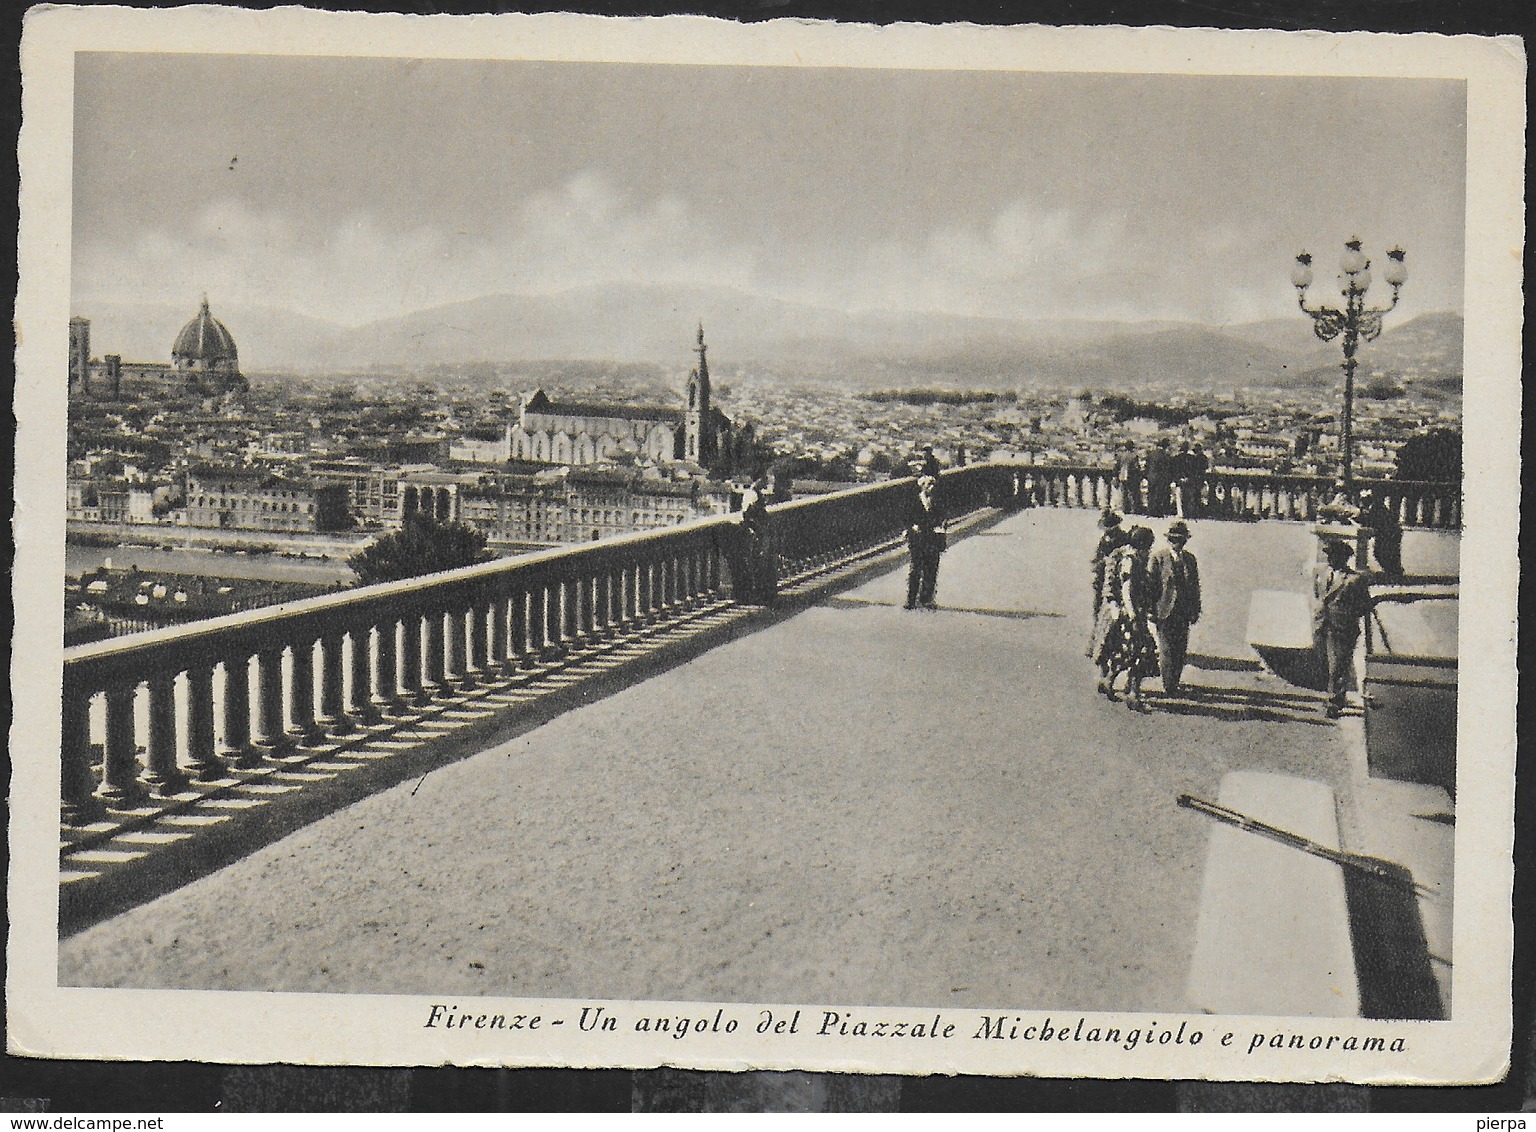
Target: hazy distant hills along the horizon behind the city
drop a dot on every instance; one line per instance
(655, 323)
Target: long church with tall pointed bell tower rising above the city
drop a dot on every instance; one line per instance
(577, 434)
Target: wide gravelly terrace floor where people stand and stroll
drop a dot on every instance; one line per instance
(858, 806)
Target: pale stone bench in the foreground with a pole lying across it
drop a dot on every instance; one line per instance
(1274, 933)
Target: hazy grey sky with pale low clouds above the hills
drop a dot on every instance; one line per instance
(360, 190)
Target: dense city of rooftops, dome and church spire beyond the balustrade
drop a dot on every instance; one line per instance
(313, 468)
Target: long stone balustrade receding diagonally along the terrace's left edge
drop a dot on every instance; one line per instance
(147, 717)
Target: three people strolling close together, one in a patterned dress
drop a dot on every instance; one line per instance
(1147, 598)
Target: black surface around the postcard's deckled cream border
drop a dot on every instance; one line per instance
(85, 1087)
